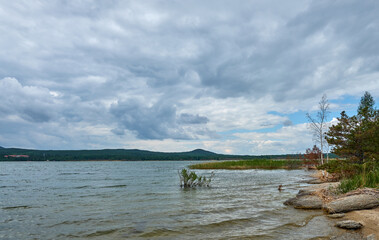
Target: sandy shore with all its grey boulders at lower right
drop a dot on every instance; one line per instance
(356, 211)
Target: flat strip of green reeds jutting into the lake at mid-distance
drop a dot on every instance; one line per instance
(249, 164)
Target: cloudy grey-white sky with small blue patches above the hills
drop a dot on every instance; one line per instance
(233, 77)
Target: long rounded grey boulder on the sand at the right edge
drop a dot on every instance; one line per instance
(351, 203)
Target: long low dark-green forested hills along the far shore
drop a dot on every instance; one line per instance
(17, 154)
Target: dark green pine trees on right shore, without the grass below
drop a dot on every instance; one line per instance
(357, 137)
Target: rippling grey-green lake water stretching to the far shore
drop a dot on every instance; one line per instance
(143, 200)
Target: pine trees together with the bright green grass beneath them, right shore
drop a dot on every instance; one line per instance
(357, 139)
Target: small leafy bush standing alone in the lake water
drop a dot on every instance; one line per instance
(189, 179)
